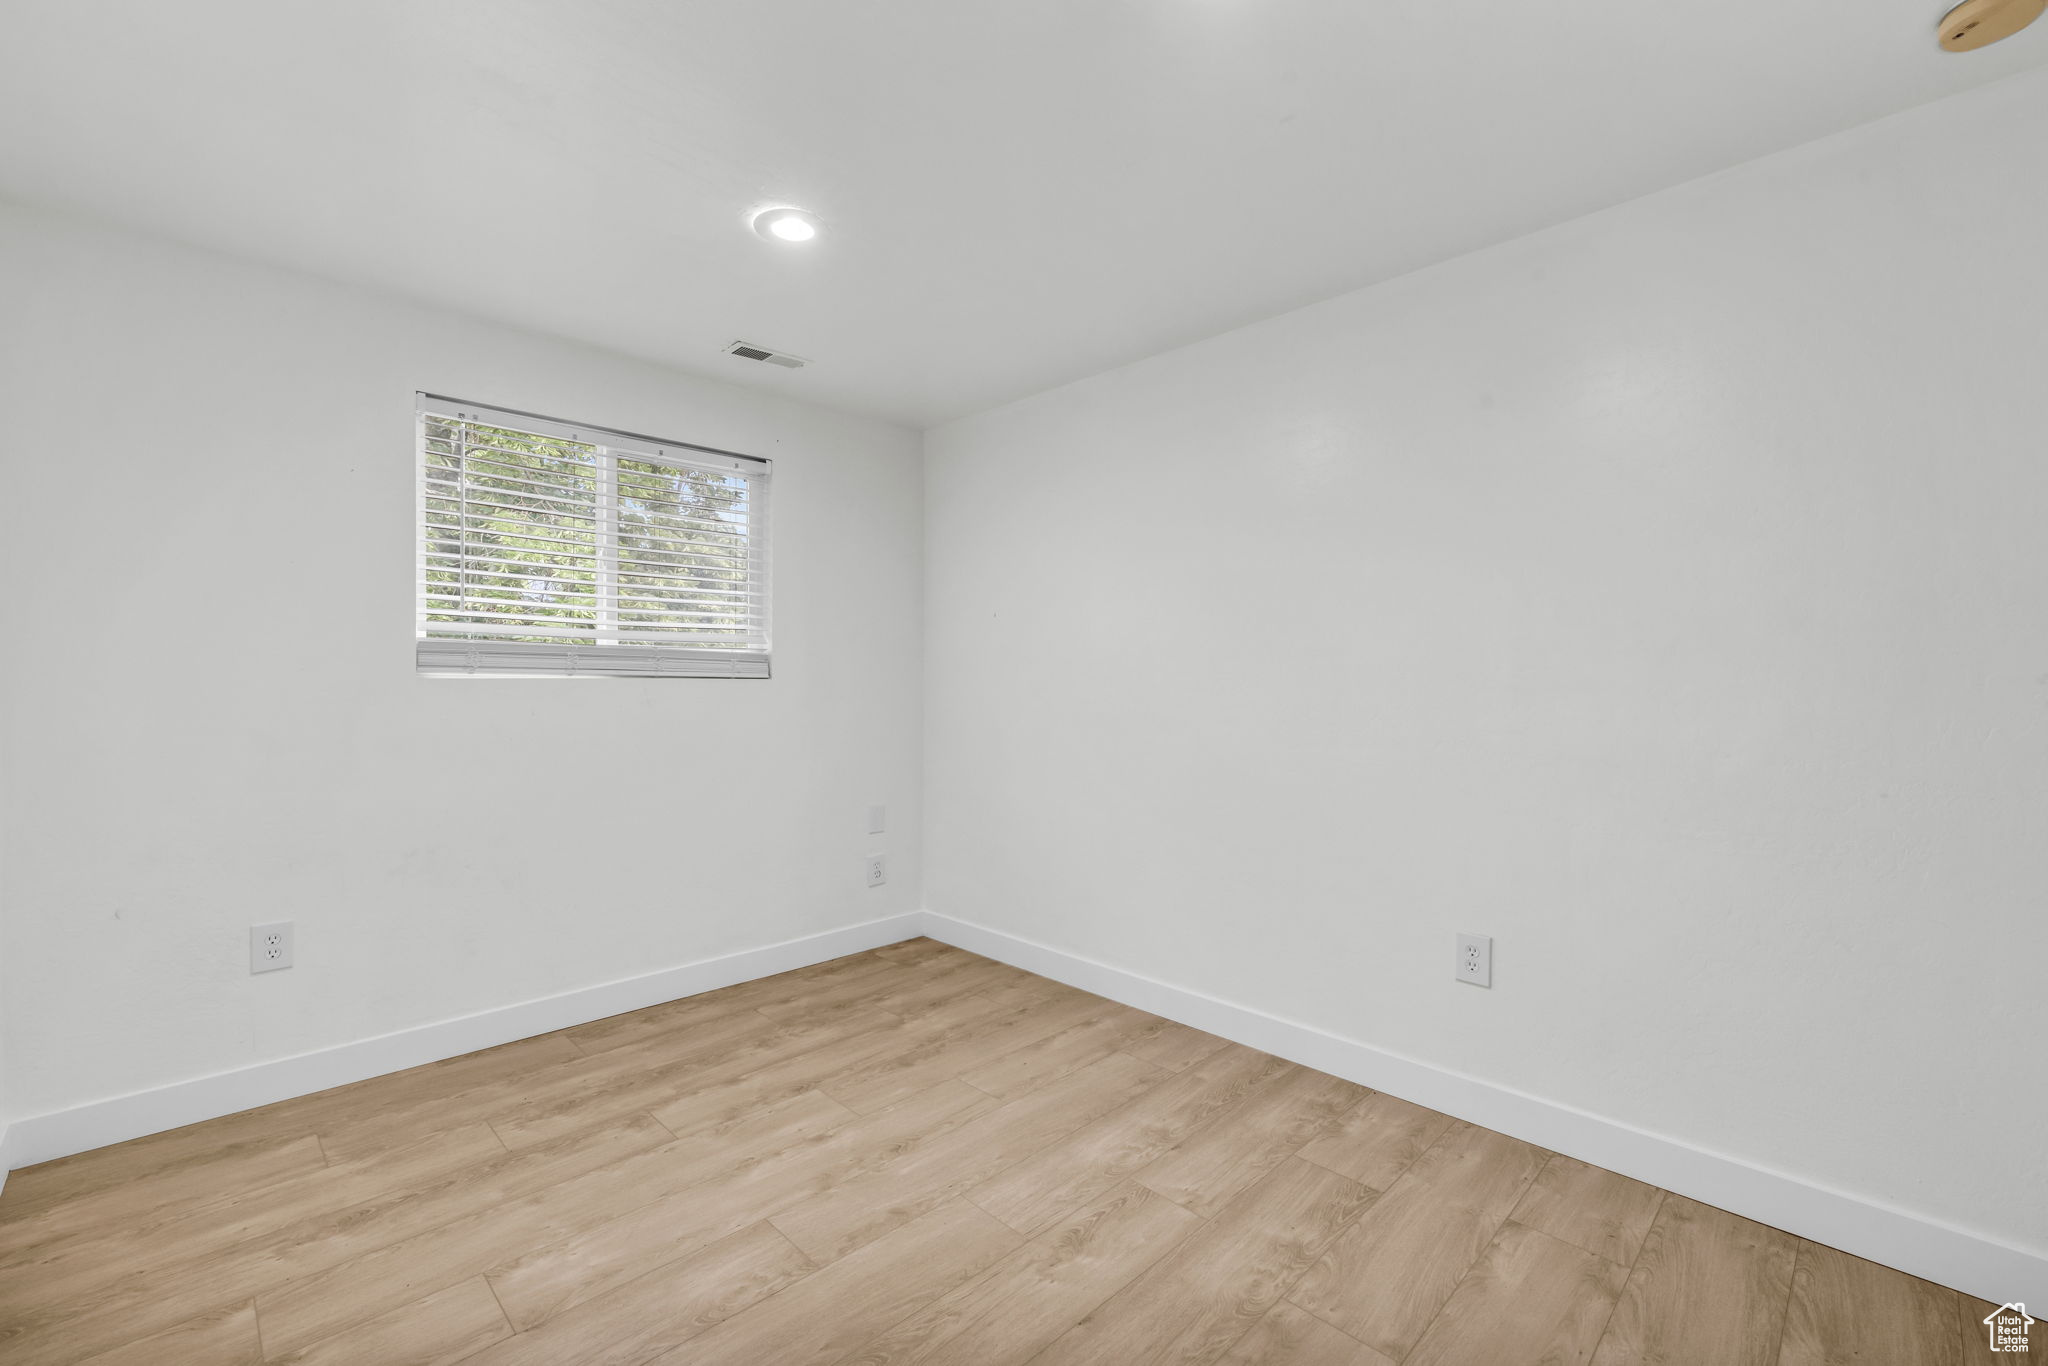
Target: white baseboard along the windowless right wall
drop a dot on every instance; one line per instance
(1836, 1220)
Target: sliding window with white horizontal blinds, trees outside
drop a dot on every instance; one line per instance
(550, 548)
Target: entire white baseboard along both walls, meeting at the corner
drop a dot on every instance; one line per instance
(1852, 1224)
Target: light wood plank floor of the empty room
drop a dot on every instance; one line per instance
(906, 1156)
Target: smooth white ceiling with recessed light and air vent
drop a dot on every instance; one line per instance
(1017, 191)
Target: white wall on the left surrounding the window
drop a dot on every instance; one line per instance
(212, 714)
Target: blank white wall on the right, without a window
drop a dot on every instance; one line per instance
(1664, 595)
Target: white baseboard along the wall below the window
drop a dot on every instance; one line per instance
(40, 1138)
